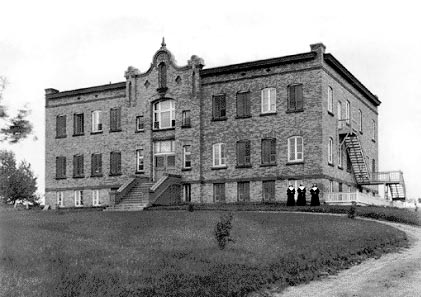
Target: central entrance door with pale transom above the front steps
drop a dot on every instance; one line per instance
(164, 158)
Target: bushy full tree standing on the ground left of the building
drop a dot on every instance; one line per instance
(16, 182)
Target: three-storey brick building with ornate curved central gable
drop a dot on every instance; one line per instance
(240, 132)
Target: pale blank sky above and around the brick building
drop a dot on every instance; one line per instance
(74, 44)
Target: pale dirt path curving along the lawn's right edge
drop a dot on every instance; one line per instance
(397, 274)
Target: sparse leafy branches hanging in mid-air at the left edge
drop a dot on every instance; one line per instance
(15, 128)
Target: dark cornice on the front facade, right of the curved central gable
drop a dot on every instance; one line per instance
(258, 64)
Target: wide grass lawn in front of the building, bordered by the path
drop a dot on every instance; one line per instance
(174, 253)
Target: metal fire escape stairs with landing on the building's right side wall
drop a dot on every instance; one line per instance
(392, 180)
